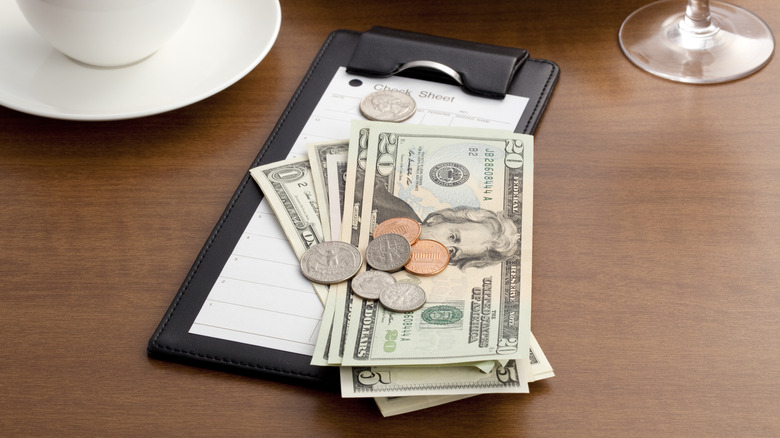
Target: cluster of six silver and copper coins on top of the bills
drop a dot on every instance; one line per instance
(396, 245)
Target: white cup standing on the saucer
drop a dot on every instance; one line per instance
(106, 33)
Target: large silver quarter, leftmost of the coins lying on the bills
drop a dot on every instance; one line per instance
(331, 262)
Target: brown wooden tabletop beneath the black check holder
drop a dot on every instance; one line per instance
(656, 247)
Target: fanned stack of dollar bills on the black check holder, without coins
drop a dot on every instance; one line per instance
(471, 190)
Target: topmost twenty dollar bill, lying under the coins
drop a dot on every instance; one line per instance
(472, 191)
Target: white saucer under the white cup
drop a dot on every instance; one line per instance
(219, 44)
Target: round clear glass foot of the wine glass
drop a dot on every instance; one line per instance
(740, 44)
